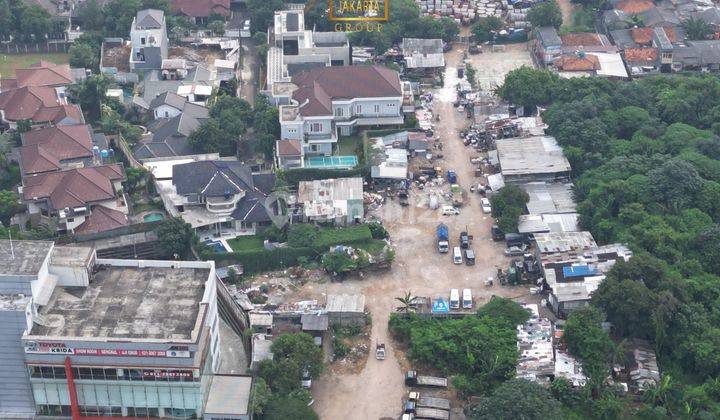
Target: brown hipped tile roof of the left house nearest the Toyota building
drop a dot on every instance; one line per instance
(73, 187)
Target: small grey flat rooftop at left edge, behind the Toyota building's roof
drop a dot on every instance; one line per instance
(23, 257)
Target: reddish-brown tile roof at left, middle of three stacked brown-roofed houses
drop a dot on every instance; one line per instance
(45, 148)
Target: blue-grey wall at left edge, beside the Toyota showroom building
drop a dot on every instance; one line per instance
(16, 398)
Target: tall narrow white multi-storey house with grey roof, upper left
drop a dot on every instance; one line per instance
(148, 37)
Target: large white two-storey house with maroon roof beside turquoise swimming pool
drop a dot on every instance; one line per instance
(332, 101)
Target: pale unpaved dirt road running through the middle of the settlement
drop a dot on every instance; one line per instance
(377, 391)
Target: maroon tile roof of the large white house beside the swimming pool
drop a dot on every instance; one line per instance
(320, 86)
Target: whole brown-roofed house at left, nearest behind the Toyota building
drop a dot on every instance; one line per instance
(64, 200)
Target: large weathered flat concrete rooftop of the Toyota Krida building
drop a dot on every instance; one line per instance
(125, 302)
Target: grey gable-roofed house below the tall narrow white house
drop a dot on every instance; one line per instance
(169, 136)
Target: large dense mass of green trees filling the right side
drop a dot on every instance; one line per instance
(646, 166)
